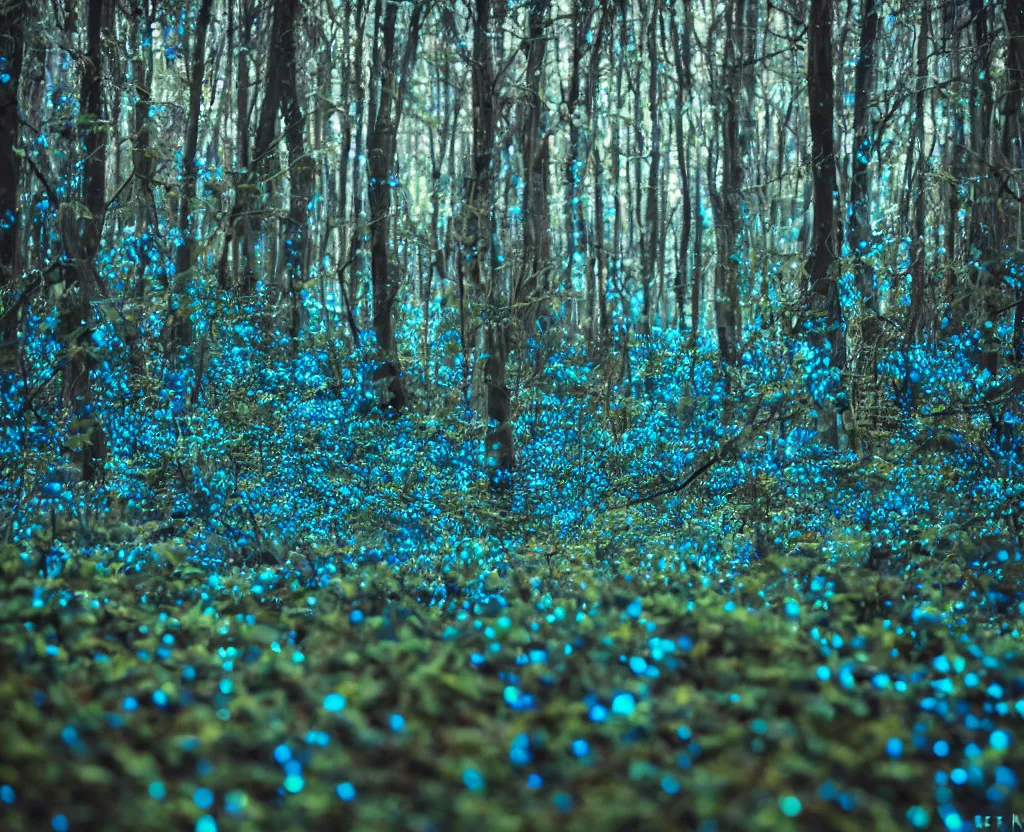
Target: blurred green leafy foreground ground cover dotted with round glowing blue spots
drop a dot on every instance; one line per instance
(573, 689)
